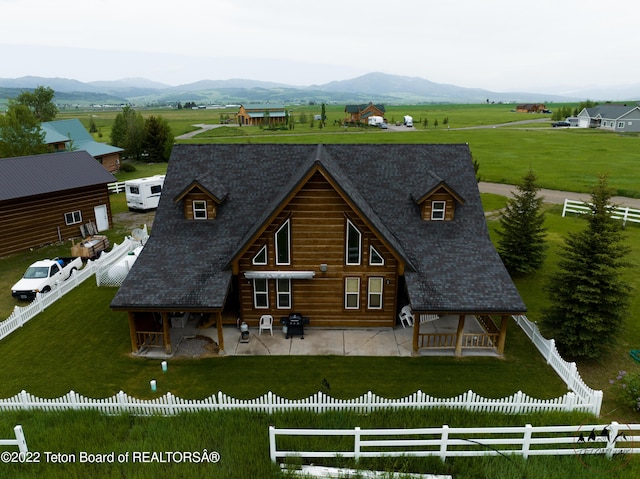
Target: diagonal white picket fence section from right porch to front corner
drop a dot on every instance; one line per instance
(589, 399)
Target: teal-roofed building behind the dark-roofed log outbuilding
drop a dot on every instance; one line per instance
(66, 135)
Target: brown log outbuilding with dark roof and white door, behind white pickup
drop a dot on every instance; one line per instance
(46, 198)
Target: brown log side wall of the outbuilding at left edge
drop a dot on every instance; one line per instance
(34, 221)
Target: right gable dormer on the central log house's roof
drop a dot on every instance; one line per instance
(438, 200)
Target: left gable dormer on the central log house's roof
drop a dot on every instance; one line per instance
(202, 198)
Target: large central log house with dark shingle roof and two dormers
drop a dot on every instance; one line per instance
(344, 234)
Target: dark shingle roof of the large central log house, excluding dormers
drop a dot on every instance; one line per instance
(452, 265)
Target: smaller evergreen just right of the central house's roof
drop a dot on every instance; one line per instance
(522, 237)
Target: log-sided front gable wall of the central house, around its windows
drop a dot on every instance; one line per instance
(318, 216)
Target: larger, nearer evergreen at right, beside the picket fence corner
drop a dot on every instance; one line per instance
(589, 298)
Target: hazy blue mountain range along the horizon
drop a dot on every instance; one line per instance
(376, 87)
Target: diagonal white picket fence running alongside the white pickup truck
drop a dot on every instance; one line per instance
(22, 314)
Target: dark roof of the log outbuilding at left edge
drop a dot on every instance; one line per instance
(25, 176)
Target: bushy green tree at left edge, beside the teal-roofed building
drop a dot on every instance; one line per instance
(20, 132)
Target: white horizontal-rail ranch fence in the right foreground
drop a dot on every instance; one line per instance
(445, 441)
